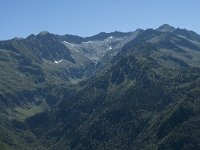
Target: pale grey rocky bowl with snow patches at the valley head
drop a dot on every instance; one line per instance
(100, 45)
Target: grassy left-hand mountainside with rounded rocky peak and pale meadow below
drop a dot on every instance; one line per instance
(27, 83)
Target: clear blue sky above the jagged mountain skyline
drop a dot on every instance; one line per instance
(19, 18)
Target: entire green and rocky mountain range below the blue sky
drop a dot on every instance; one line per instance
(135, 90)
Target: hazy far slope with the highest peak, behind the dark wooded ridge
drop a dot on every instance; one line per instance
(173, 49)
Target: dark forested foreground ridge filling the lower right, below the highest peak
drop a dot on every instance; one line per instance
(148, 101)
